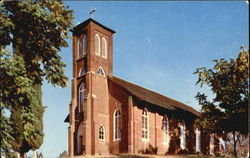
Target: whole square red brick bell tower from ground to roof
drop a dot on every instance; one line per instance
(92, 63)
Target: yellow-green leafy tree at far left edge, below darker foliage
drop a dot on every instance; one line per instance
(16, 90)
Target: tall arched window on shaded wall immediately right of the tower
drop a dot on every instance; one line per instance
(117, 125)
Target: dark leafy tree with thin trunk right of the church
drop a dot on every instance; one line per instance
(228, 111)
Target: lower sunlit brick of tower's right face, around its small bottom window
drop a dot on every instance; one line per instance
(100, 113)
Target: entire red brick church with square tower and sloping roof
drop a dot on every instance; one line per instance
(109, 115)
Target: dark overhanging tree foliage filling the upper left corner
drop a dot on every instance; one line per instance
(37, 31)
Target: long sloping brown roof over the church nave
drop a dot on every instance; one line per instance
(153, 97)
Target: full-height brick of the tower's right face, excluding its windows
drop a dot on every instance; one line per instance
(99, 88)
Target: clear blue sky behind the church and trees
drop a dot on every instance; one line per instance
(157, 45)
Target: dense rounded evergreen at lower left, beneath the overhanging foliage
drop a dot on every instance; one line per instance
(28, 133)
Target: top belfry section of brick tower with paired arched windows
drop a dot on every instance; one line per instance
(92, 44)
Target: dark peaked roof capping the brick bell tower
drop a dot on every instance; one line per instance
(80, 26)
